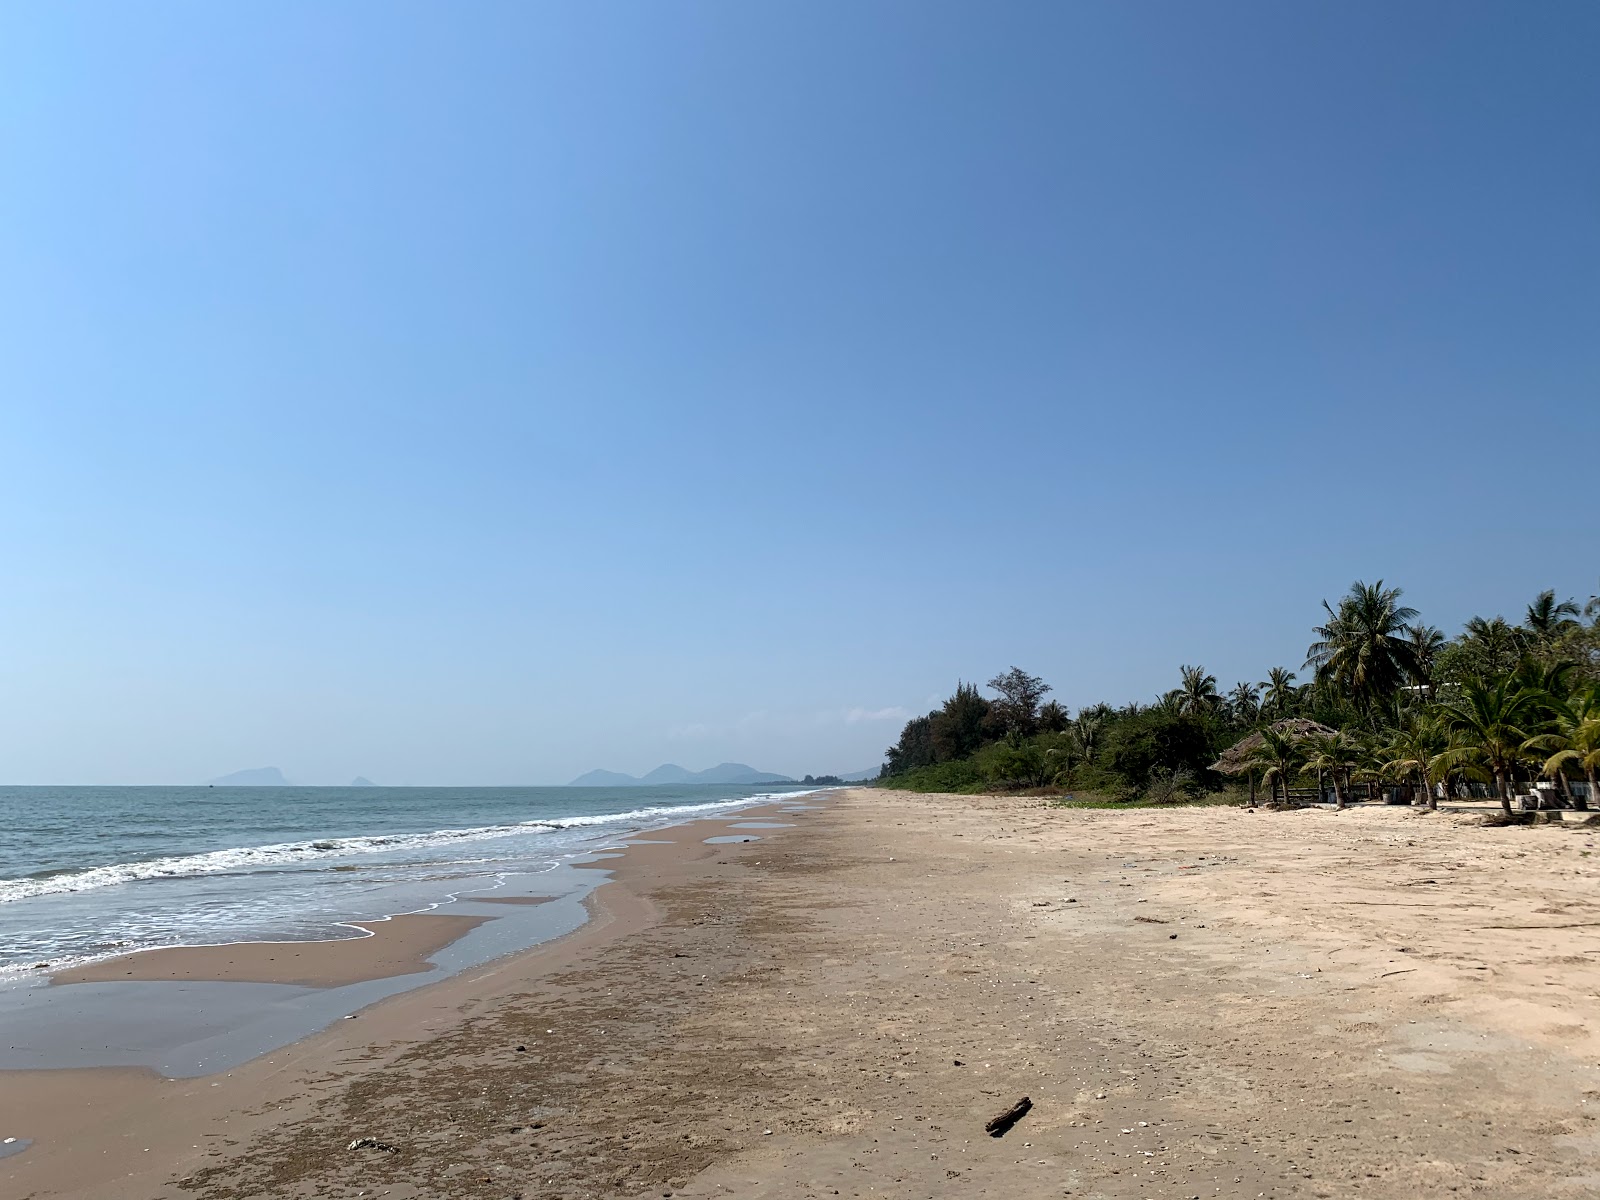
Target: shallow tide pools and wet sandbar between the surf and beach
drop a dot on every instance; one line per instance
(246, 999)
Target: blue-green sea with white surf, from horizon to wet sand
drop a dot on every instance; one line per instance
(89, 873)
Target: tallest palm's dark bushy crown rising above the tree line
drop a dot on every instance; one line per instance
(1364, 649)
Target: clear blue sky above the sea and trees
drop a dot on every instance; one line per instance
(481, 394)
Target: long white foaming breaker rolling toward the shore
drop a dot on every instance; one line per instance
(250, 860)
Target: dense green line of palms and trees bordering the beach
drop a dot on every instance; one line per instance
(1382, 702)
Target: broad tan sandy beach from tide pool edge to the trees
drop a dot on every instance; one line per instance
(1199, 1004)
